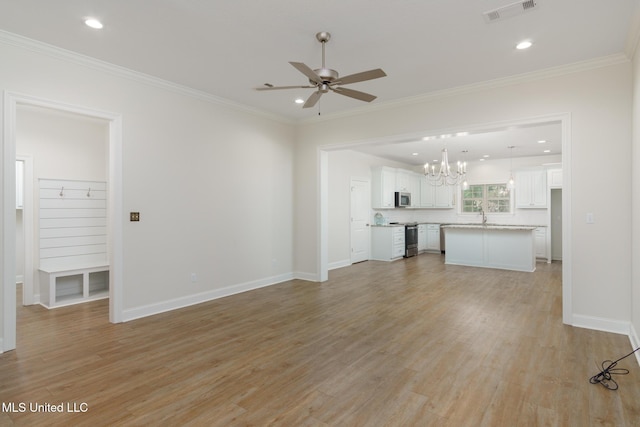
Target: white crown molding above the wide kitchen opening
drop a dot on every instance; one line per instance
(575, 67)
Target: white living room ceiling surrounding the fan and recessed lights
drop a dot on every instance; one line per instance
(228, 48)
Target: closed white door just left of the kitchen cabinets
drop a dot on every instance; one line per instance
(360, 211)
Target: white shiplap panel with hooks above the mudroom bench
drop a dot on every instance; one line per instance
(73, 219)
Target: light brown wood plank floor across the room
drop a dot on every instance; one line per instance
(408, 343)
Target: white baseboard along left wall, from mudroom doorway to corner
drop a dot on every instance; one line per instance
(151, 309)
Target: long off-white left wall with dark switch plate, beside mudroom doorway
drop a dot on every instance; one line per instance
(213, 182)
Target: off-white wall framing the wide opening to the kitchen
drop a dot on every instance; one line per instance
(599, 103)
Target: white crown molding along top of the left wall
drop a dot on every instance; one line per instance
(39, 47)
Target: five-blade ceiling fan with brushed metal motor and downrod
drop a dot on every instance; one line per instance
(325, 79)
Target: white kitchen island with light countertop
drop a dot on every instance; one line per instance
(507, 247)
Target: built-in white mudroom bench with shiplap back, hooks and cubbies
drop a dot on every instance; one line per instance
(73, 258)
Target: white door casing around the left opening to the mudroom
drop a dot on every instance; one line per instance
(11, 101)
